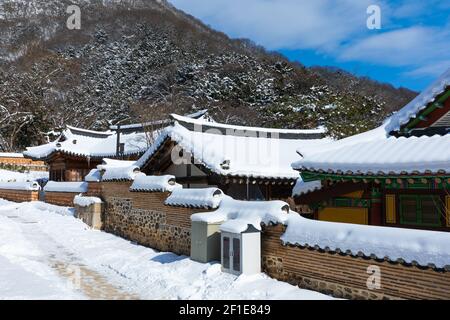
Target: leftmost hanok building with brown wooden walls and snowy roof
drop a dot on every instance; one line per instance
(77, 151)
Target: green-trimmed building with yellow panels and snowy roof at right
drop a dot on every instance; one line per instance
(396, 175)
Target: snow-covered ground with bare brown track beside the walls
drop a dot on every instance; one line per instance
(45, 253)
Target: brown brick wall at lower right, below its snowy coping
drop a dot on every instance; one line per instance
(344, 276)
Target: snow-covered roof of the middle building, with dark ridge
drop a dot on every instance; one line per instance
(236, 155)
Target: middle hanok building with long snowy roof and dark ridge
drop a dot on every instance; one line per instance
(245, 162)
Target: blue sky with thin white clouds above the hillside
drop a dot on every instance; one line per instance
(411, 49)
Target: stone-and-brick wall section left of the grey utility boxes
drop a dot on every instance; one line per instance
(142, 217)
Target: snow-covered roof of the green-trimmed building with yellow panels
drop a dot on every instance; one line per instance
(377, 152)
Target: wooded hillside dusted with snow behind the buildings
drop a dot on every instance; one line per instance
(132, 59)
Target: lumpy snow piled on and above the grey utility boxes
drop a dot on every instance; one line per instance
(238, 214)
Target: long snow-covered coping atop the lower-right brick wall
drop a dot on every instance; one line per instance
(396, 244)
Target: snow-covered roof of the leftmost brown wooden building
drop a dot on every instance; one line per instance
(88, 143)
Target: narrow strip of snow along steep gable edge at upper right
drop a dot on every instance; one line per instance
(412, 109)
